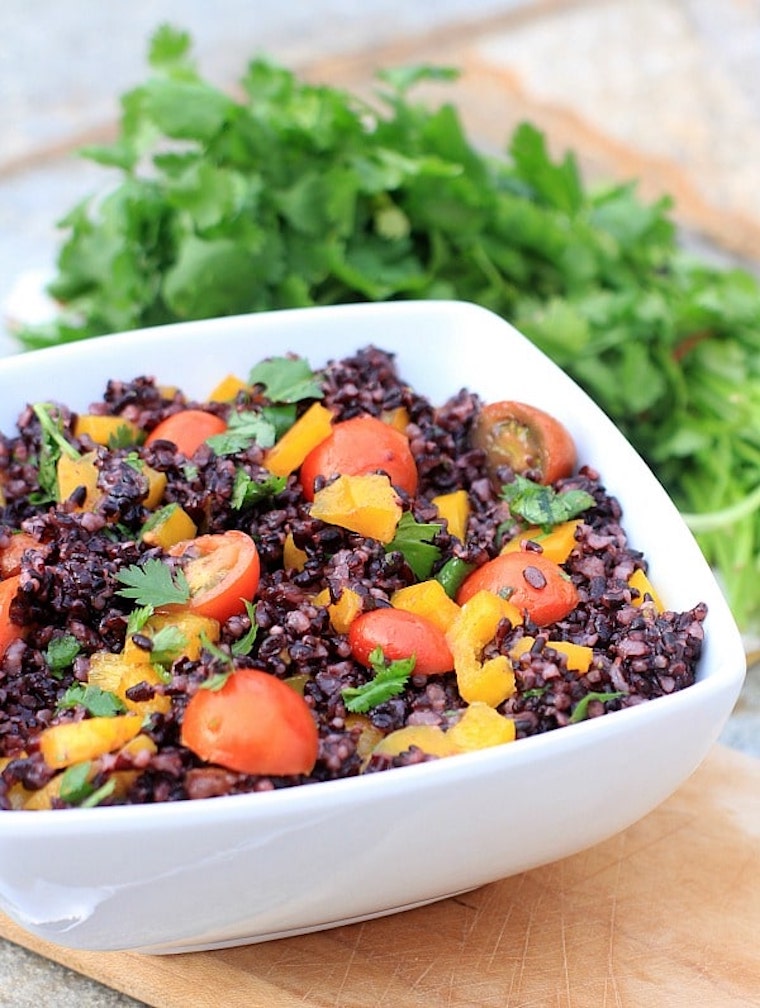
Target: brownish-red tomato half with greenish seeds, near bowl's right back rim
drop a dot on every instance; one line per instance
(526, 439)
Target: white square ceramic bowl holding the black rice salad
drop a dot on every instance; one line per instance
(227, 871)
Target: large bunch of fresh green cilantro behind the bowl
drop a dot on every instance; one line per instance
(296, 195)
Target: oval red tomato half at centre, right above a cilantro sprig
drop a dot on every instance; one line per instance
(401, 635)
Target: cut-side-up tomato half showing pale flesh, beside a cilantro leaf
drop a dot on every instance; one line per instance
(222, 571)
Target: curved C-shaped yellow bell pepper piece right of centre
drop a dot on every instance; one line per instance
(493, 681)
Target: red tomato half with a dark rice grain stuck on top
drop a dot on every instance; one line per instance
(537, 585)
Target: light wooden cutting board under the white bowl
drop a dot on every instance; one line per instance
(665, 916)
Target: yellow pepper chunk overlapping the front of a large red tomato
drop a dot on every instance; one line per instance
(364, 505)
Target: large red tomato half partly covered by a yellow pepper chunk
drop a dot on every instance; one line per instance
(359, 447)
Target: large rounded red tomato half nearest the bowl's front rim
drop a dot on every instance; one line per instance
(255, 724)
